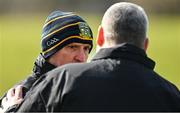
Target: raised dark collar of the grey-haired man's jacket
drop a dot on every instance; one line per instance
(126, 51)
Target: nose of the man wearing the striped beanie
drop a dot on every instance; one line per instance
(81, 56)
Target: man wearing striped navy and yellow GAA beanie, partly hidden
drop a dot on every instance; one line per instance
(66, 38)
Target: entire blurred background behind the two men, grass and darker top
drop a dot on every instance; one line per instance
(21, 22)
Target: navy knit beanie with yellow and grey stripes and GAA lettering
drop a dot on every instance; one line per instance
(61, 29)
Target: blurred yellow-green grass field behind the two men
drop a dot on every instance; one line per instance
(20, 39)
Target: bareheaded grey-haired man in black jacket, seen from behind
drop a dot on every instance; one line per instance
(120, 77)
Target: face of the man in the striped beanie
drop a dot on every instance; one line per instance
(72, 53)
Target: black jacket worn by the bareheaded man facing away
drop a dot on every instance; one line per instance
(117, 79)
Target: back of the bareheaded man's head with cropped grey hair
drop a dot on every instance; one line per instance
(125, 23)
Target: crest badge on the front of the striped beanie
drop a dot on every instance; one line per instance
(85, 30)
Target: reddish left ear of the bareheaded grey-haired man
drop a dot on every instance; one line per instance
(100, 37)
